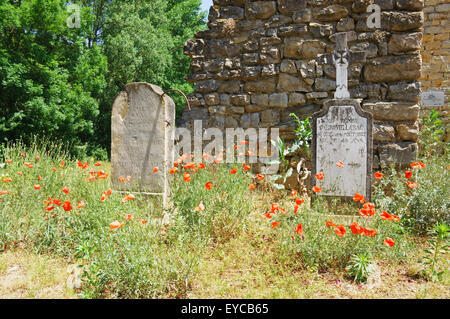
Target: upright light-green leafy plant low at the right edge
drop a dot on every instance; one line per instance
(439, 246)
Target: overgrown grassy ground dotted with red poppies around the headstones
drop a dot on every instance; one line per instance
(227, 233)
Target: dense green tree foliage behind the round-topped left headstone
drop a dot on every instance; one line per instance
(60, 82)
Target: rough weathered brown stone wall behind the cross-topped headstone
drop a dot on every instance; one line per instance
(257, 63)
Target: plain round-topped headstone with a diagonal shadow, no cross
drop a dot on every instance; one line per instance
(142, 138)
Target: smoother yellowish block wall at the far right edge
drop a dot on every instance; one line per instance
(436, 53)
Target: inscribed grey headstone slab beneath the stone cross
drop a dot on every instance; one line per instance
(342, 131)
